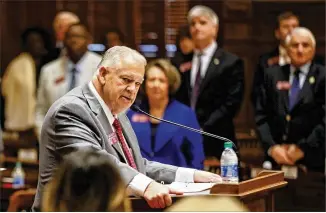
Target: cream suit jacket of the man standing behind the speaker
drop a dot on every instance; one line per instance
(55, 78)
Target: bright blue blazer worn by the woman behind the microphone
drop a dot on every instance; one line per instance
(173, 145)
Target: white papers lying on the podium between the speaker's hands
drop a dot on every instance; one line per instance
(191, 187)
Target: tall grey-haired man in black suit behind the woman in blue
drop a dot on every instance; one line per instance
(212, 82)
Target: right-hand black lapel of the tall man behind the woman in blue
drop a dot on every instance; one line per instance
(211, 69)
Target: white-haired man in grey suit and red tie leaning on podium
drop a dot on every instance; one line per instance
(93, 115)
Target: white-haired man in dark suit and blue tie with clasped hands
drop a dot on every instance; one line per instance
(290, 112)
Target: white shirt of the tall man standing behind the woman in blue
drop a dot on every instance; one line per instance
(206, 57)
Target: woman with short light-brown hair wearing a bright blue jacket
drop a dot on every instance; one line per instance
(161, 141)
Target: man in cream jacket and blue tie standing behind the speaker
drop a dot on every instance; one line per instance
(70, 70)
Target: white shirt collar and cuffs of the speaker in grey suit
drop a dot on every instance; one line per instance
(140, 182)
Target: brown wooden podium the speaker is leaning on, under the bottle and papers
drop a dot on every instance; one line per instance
(256, 194)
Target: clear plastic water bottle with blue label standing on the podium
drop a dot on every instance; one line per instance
(229, 164)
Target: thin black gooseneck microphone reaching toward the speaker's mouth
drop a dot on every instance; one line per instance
(137, 109)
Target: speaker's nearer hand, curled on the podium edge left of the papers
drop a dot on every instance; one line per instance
(158, 195)
